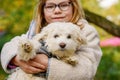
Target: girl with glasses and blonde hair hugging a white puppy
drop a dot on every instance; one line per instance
(49, 11)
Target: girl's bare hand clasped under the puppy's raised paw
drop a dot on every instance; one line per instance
(38, 64)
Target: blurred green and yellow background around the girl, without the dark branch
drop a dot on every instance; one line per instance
(16, 15)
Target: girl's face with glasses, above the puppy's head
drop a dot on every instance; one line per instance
(58, 10)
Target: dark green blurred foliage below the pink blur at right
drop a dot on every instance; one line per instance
(109, 68)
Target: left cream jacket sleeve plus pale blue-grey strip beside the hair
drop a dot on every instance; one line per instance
(9, 49)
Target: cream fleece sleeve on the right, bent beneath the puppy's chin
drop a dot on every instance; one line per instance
(88, 60)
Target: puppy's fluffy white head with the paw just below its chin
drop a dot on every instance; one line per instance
(62, 40)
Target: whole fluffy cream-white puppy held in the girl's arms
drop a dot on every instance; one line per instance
(61, 39)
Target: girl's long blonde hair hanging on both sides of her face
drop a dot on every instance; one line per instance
(41, 22)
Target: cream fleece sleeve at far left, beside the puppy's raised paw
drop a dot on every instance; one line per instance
(8, 51)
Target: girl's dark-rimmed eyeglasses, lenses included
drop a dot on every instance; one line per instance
(62, 6)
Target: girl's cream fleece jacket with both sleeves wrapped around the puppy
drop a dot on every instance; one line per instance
(89, 57)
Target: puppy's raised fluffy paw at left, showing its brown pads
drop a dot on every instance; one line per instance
(26, 49)
